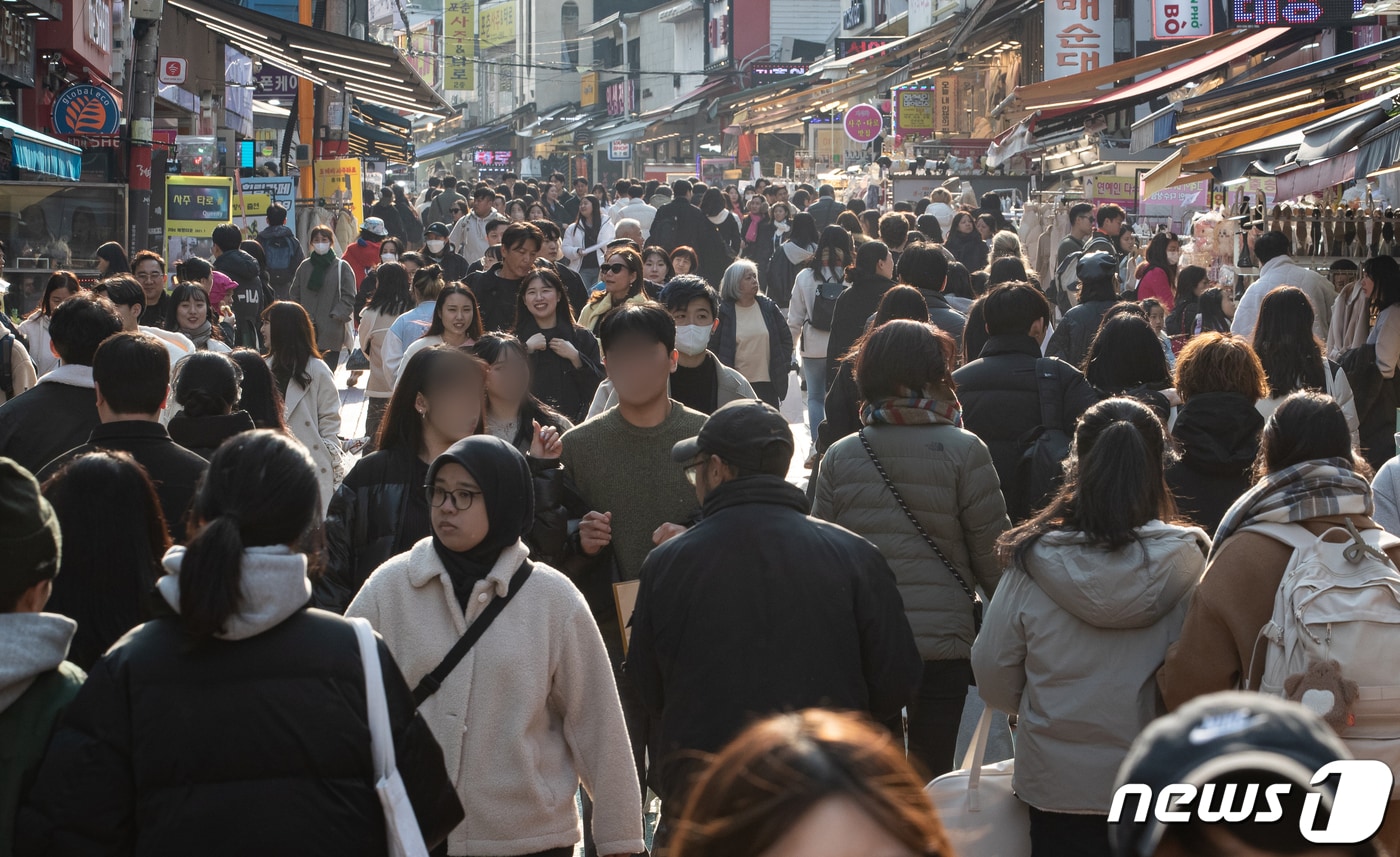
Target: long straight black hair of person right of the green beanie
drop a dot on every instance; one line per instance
(110, 562)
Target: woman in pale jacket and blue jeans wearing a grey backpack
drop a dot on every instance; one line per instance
(828, 264)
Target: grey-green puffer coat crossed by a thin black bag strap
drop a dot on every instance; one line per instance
(947, 478)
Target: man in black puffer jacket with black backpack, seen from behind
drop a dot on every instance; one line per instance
(1000, 391)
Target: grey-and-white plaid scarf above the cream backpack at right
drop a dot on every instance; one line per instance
(1307, 491)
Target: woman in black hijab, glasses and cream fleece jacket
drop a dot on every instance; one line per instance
(540, 678)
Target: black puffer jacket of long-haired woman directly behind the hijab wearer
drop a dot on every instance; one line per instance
(366, 523)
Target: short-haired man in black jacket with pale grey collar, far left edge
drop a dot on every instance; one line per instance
(61, 411)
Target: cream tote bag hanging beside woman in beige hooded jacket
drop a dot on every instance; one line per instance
(981, 814)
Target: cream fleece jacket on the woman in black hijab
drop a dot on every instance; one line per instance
(530, 712)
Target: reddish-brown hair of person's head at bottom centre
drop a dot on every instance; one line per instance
(775, 772)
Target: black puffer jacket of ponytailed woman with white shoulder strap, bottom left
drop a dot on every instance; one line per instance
(232, 748)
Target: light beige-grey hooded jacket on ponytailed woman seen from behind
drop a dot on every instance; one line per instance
(1072, 645)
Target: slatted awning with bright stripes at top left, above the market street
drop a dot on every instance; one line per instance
(373, 72)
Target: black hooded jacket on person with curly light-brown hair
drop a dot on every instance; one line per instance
(1219, 440)
